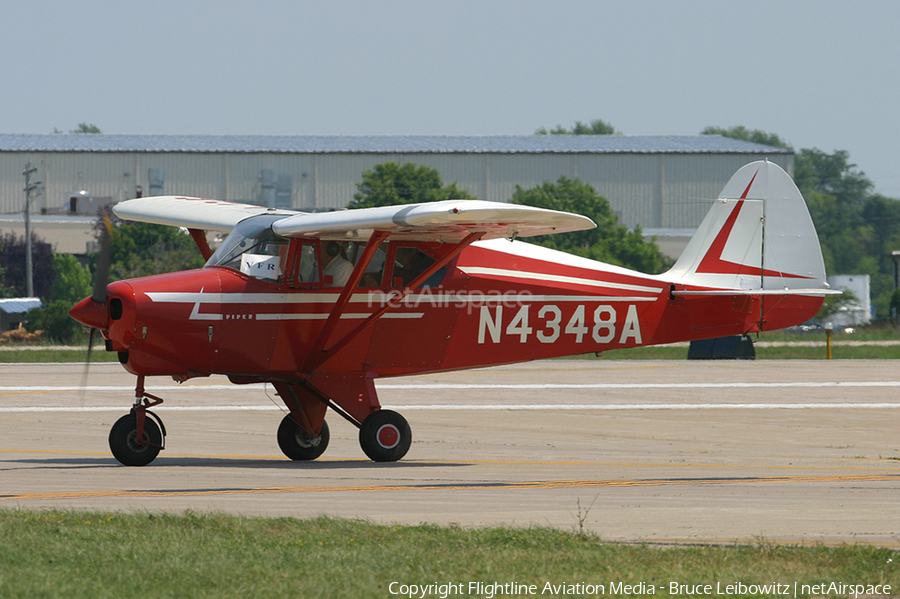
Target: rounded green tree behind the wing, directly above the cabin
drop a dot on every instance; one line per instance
(389, 183)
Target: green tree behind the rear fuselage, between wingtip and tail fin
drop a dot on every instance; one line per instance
(609, 242)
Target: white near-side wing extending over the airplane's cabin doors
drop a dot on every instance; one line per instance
(447, 221)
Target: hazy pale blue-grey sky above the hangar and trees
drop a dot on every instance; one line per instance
(821, 74)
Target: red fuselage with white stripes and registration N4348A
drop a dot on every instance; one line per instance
(496, 302)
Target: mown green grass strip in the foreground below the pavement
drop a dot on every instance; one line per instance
(96, 555)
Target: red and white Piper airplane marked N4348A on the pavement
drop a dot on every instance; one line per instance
(322, 304)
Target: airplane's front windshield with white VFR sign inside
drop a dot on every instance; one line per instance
(253, 249)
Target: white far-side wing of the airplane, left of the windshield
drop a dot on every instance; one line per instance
(191, 213)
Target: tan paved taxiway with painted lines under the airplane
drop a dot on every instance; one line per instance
(796, 452)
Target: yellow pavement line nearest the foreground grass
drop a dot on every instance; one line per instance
(527, 485)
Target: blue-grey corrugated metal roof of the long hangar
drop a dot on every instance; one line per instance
(399, 144)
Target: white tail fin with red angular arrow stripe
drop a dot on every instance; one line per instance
(758, 236)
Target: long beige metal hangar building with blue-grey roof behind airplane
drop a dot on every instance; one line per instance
(662, 183)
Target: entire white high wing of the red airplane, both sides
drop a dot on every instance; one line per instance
(447, 221)
